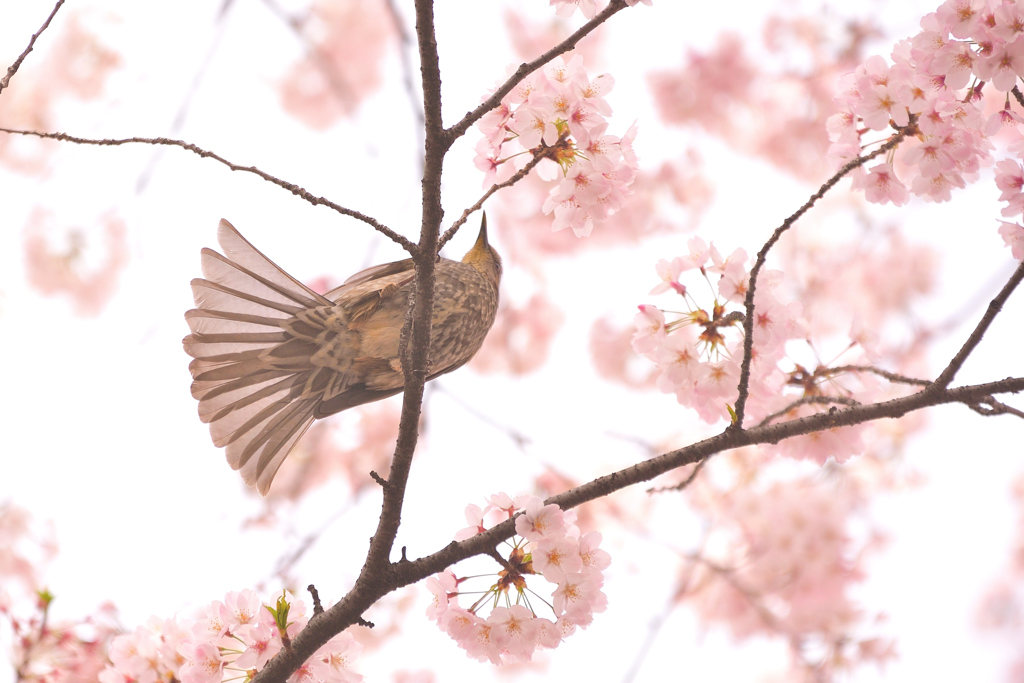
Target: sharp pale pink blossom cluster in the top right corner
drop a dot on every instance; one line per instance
(935, 92)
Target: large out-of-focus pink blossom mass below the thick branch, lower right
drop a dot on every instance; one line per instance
(781, 561)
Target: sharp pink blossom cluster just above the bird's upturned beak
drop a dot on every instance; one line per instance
(558, 114)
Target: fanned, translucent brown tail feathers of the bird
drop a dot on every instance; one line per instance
(251, 383)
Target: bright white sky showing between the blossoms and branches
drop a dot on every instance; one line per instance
(103, 437)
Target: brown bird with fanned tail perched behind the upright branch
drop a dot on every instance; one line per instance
(272, 356)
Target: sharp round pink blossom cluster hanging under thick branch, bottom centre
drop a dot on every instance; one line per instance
(548, 545)
